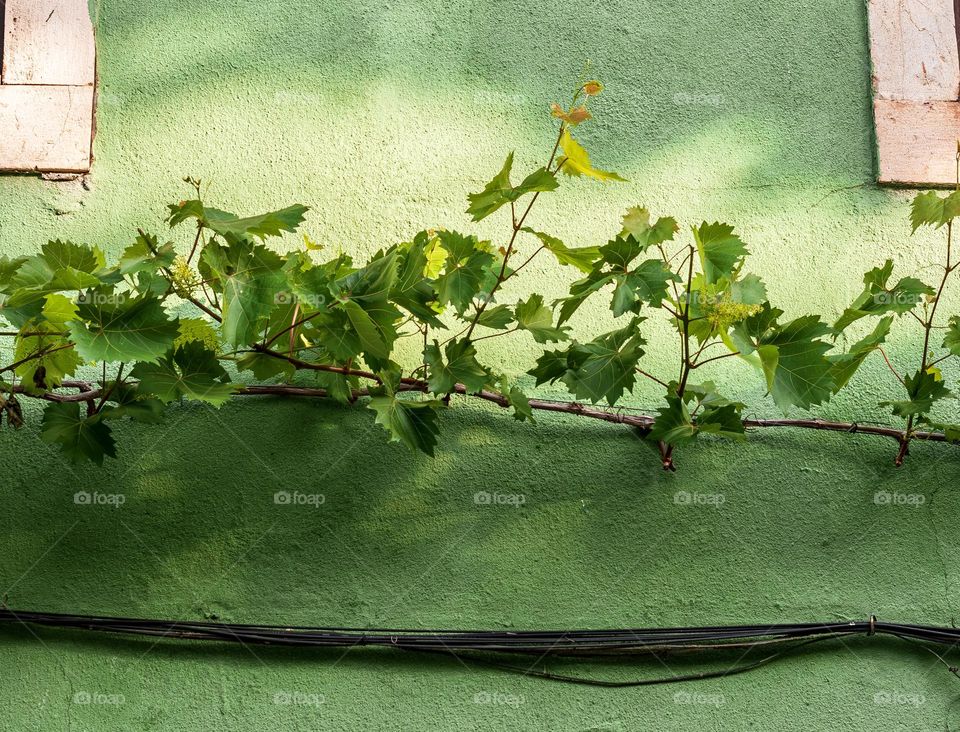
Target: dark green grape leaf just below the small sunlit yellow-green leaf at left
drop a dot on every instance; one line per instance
(191, 371)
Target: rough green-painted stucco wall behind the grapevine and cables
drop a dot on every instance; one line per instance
(381, 116)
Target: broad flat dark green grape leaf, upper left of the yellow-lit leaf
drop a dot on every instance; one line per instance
(113, 327)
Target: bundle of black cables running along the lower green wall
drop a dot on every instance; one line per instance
(489, 646)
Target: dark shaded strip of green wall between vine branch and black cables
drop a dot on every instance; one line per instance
(552, 525)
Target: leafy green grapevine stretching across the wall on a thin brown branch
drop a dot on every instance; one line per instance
(405, 331)
